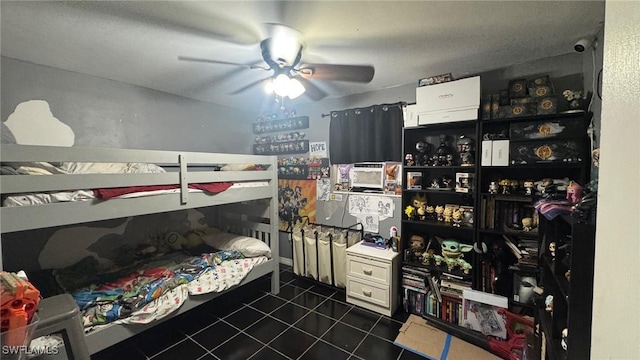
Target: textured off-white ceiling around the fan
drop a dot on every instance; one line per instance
(138, 42)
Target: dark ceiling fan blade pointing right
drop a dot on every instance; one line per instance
(351, 73)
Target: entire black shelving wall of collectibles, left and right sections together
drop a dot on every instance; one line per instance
(507, 211)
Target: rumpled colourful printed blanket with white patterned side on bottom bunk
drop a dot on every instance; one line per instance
(160, 287)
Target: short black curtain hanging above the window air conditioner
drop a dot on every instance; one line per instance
(373, 133)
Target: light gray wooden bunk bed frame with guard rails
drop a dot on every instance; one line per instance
(245, 204)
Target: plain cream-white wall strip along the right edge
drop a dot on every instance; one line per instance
(616, 310)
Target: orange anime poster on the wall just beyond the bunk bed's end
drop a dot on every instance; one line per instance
(296, 202)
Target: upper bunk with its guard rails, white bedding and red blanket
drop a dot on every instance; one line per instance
(57, 185)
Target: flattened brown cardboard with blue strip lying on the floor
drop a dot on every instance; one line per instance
(419, 337)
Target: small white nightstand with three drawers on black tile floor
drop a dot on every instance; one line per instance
(372, 278)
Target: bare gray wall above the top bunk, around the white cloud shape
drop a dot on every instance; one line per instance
(105, 113)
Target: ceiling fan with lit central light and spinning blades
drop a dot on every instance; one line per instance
(282, 54)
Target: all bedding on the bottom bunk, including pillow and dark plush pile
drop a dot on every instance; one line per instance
(160, 280)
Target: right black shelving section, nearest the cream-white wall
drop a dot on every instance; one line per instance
(572, 299)
